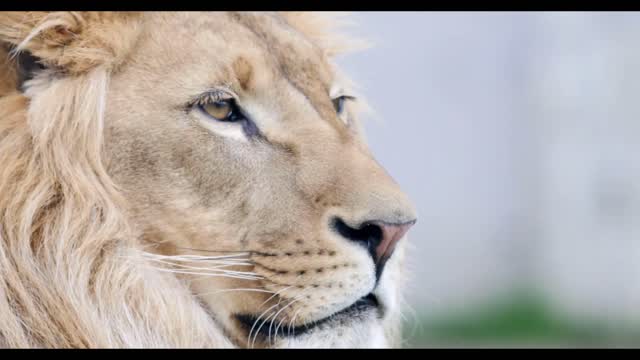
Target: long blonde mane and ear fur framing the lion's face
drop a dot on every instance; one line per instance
(71, 270)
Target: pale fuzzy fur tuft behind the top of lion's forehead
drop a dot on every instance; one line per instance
(325, 29)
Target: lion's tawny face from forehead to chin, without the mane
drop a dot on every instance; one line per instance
(232, 135)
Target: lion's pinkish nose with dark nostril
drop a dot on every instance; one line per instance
(379, 237)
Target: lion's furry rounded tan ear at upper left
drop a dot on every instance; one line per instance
(71, 41)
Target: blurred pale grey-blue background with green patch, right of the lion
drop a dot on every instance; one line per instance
(516, 135)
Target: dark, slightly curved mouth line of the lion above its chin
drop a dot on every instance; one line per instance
(364, 304)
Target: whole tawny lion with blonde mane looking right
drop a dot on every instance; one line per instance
(186, 179)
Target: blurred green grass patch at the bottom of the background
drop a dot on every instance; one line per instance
(521, 318)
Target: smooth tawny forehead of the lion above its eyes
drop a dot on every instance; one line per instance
(239, 49)
